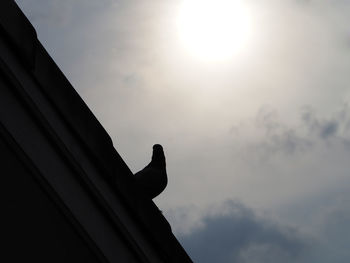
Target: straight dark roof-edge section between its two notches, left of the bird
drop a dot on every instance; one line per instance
(74, 110)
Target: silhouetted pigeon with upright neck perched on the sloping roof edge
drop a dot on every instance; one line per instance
(152, 179)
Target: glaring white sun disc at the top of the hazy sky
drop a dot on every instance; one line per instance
(214, 29)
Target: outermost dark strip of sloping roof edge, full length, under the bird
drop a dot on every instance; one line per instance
(23, 38)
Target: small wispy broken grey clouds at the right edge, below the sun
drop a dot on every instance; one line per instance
(276, 136)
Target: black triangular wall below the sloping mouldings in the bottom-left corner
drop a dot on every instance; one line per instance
(32, 227)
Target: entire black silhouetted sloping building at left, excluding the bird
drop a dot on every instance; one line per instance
(67, 194)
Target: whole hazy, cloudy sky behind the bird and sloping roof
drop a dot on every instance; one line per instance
(257, 138)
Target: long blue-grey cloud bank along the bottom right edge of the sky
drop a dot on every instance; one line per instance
(237, 235)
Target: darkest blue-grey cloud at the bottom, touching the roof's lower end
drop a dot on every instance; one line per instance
(240, 236)
